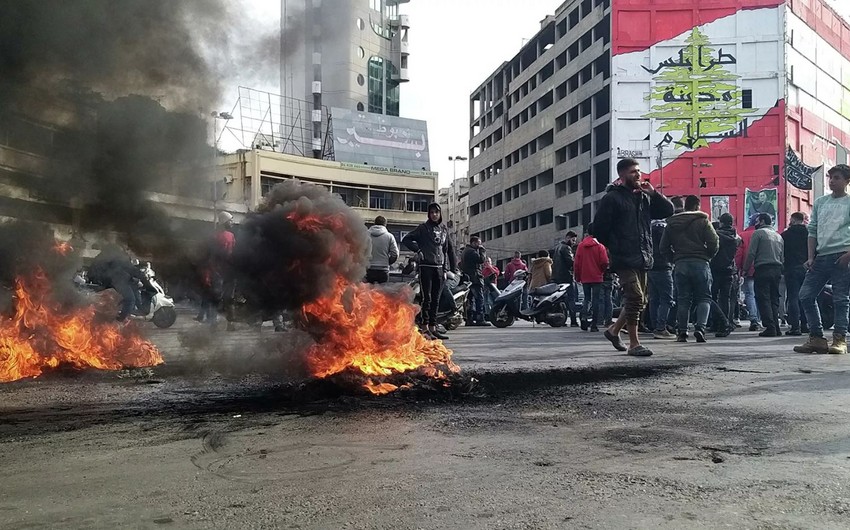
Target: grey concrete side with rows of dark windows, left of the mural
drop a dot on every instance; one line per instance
(540, 133)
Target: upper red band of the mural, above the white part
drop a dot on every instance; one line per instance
(640, 24)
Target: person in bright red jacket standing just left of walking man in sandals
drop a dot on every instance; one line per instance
(591, 262)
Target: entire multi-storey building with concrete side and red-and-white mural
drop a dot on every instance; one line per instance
(742, 102)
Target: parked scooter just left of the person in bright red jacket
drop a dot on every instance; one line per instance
(548, 304)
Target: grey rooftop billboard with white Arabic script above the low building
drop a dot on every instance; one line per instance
(380, 140)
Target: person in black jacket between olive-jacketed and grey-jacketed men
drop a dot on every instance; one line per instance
(722, 271)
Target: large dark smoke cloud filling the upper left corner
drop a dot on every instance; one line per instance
(115, 96)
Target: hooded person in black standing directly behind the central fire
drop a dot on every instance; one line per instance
(431, 242)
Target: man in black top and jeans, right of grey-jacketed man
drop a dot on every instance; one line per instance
(796, 253)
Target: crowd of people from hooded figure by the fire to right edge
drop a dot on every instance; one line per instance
(678, 273)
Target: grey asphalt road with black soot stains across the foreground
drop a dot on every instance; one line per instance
(557, 431)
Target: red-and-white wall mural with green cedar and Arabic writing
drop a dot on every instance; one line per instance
(702, 110)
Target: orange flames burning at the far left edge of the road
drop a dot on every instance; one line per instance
(40, 336)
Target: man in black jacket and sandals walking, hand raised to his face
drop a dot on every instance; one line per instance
(622, 224)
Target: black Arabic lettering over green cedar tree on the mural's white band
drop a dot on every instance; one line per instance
(695, 97)
